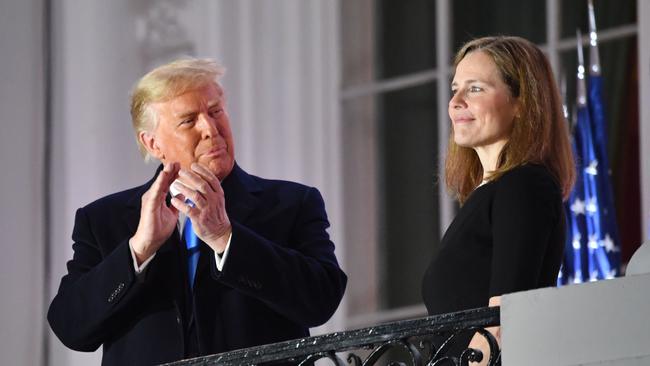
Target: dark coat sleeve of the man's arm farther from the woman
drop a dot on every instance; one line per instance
(97, 286)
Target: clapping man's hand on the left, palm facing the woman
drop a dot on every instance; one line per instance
(157, 220)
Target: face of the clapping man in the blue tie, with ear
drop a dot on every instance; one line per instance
(193, 128)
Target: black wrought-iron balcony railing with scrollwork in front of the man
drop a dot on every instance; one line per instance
(432, 341)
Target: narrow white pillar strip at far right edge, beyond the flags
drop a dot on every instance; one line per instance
(643, 39)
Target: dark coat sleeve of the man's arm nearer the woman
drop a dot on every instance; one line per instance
(300, 279)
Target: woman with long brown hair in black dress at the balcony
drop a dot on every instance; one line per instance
(510, 165)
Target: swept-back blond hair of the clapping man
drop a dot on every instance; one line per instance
(164, 83)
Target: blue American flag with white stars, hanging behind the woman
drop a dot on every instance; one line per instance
(593, 247)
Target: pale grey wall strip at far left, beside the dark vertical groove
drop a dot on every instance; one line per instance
(21, 161)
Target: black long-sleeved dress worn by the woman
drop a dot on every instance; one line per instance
(508, 237)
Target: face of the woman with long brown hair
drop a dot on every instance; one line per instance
(482, 108)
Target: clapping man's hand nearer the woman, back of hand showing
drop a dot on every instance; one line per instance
(209, 218)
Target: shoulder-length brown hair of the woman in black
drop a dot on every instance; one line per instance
(540, 133)
